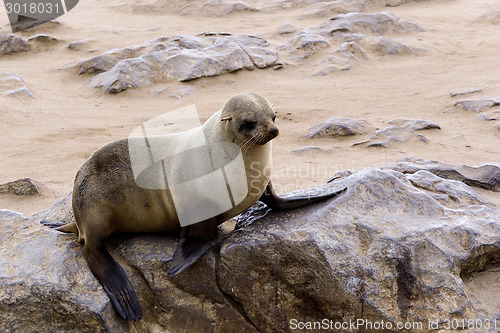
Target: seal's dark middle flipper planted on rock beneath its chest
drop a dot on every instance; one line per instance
(196, 239)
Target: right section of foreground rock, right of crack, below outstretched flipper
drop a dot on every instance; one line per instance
(385, 250)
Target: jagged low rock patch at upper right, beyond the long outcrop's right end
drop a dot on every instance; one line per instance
(348, 34)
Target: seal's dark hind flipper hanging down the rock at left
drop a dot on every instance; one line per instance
(114, 281)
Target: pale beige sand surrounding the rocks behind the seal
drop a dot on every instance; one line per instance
(47, 138)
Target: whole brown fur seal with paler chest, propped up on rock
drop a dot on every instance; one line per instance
(107, 196)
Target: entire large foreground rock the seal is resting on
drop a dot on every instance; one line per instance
(394, 247)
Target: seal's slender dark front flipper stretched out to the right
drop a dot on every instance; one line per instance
(270, 198)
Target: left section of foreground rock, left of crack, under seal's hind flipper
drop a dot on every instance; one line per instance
(44, 275)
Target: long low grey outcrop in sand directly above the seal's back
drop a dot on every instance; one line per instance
(181, 58)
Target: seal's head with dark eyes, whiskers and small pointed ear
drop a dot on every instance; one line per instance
(249, 118)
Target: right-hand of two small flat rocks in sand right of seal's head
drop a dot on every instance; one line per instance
(401, 131)
